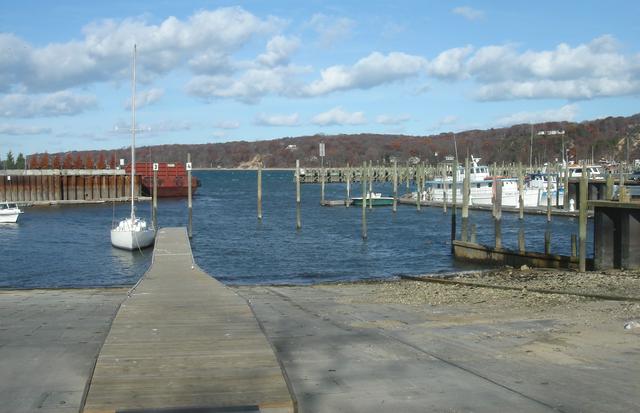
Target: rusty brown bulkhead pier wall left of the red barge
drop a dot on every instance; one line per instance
(51, 186)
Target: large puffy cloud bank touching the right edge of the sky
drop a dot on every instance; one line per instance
(586, 71)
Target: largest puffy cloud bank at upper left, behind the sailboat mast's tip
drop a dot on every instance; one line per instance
(105, 51)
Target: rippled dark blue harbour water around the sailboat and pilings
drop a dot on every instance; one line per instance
(70, 246)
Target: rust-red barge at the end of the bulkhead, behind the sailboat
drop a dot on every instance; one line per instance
(172, 179)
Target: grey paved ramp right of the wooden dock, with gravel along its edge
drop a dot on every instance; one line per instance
(346, 355)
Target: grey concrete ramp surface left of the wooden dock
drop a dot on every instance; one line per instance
(49, 342)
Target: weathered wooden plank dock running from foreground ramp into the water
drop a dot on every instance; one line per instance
(183, 341)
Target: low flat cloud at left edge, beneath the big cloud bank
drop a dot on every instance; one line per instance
(53, 104)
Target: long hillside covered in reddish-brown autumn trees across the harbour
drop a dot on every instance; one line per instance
(604, 138)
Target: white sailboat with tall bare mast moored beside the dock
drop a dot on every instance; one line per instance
(133, 233)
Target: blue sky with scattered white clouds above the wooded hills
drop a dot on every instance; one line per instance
(217, 71)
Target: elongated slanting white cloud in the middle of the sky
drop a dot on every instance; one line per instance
(373, 70)
